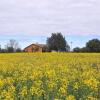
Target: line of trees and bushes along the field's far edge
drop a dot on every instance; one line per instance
(56, 42)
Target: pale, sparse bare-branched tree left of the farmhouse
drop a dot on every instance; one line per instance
(12, 46)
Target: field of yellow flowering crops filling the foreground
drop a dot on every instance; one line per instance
(49, 76)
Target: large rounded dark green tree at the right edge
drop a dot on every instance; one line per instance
(93, 45)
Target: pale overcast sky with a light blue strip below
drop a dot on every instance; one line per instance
(39, 18)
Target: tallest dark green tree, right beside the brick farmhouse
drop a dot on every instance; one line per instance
(57, 42)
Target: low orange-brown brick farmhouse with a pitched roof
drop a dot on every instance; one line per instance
(34, 48)
